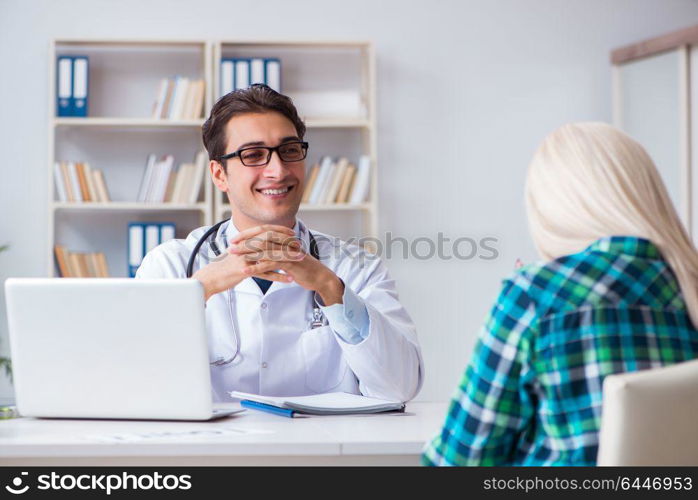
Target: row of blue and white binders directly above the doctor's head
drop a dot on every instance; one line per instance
(241, 72)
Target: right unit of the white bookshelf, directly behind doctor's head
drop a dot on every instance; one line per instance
(313, 67)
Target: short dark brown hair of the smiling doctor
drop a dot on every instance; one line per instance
(258, 98)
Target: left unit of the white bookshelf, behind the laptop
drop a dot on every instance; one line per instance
(117, 137)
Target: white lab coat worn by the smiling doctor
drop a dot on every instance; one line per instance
(279, 354)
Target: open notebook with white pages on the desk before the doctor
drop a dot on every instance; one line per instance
(332, 403)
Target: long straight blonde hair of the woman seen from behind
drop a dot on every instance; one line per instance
(590, 180)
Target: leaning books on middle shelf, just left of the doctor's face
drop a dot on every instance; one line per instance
(162, 183)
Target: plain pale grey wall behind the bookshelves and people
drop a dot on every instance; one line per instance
(466, 90)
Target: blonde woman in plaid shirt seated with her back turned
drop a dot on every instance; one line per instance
(618, 292)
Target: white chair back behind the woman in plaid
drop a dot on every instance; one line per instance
(650, 417)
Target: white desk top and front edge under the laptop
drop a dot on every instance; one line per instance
(251, 438)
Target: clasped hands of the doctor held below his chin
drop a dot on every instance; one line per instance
(262, 252)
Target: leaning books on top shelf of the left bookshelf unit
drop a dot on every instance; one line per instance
(179, 99)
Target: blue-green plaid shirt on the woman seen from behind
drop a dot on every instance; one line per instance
(532, 392)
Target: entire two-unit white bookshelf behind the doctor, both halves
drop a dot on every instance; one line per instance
(119, 133)
